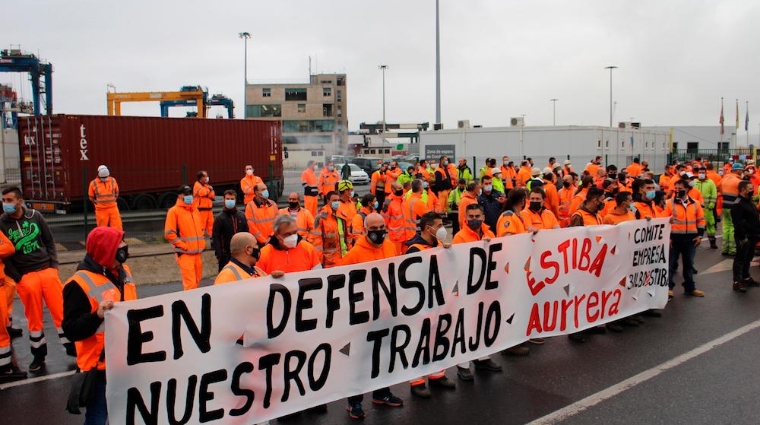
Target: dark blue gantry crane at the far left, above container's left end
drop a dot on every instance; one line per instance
(14, 60)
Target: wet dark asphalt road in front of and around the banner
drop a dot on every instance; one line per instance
(670, 370)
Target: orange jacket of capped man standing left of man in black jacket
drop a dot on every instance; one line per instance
(183, 229)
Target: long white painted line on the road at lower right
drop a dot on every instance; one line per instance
(610, 392)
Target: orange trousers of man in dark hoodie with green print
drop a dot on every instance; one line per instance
(32, 289)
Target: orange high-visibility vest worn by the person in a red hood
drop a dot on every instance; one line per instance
(98, 288)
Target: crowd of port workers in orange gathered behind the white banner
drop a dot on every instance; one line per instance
(402, 213)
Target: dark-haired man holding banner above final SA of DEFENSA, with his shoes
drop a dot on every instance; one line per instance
(431, 235)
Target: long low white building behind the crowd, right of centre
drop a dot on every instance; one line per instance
(616, 146)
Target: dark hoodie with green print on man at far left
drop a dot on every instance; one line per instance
(35, 247)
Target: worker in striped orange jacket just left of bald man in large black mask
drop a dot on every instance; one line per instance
(331, 235)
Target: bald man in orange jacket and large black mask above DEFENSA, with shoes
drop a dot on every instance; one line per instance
(373, 245)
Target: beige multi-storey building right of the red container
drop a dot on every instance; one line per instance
(313, 114)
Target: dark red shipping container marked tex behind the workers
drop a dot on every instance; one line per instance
(149, 157)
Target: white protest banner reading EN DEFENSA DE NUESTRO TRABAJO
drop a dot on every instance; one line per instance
(314, 337)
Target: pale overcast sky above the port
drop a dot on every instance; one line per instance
(499, 58)
